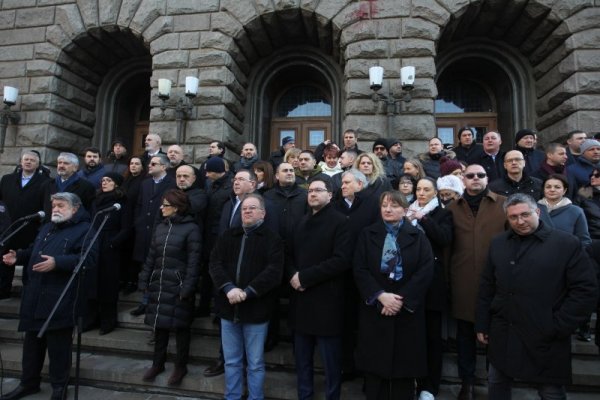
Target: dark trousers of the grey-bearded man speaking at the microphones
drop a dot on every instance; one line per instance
(58, 343)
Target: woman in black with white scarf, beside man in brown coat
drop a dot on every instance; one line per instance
(428, 214)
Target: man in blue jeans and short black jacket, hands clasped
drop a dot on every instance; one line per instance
(246, 266)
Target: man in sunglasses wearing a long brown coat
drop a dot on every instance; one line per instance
(478, 217)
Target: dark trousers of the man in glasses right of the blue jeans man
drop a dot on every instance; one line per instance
(330, 349)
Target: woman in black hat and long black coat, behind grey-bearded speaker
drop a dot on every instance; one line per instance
(107, 272)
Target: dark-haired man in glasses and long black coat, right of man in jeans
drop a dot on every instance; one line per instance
(320, 260)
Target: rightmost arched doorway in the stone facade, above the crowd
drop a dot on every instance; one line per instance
(485, 84)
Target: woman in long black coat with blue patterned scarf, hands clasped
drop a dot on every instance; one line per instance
(393, 267)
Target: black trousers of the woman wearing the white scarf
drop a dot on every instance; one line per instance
(431, 383)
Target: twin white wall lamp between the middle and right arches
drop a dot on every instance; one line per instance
(407, 80)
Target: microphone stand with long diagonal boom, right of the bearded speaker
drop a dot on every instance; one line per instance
(79, 267)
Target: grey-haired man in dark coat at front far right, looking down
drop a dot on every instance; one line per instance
(537, 287)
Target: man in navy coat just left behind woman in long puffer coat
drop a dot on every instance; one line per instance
(146, 211)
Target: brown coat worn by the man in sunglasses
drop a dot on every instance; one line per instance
(472, 237)
